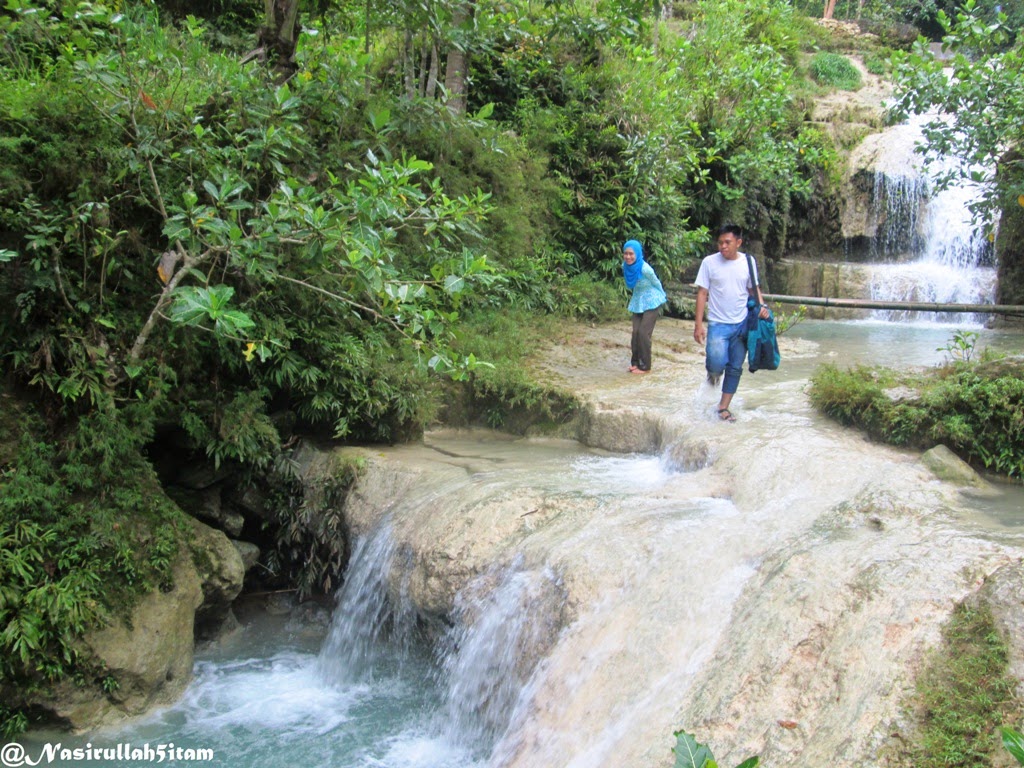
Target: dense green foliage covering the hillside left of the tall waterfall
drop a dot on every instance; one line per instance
(180, 231)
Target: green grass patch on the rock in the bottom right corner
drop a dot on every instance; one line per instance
(964, 695)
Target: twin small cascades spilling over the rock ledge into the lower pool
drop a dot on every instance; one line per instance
(503, 621)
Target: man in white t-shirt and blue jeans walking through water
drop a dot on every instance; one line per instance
(724, 283)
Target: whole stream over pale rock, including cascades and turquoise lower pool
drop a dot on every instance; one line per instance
(595, 602)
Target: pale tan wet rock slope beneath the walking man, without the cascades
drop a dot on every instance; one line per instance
(776, 598)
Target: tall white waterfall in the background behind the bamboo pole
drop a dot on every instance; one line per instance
(926, 245)
